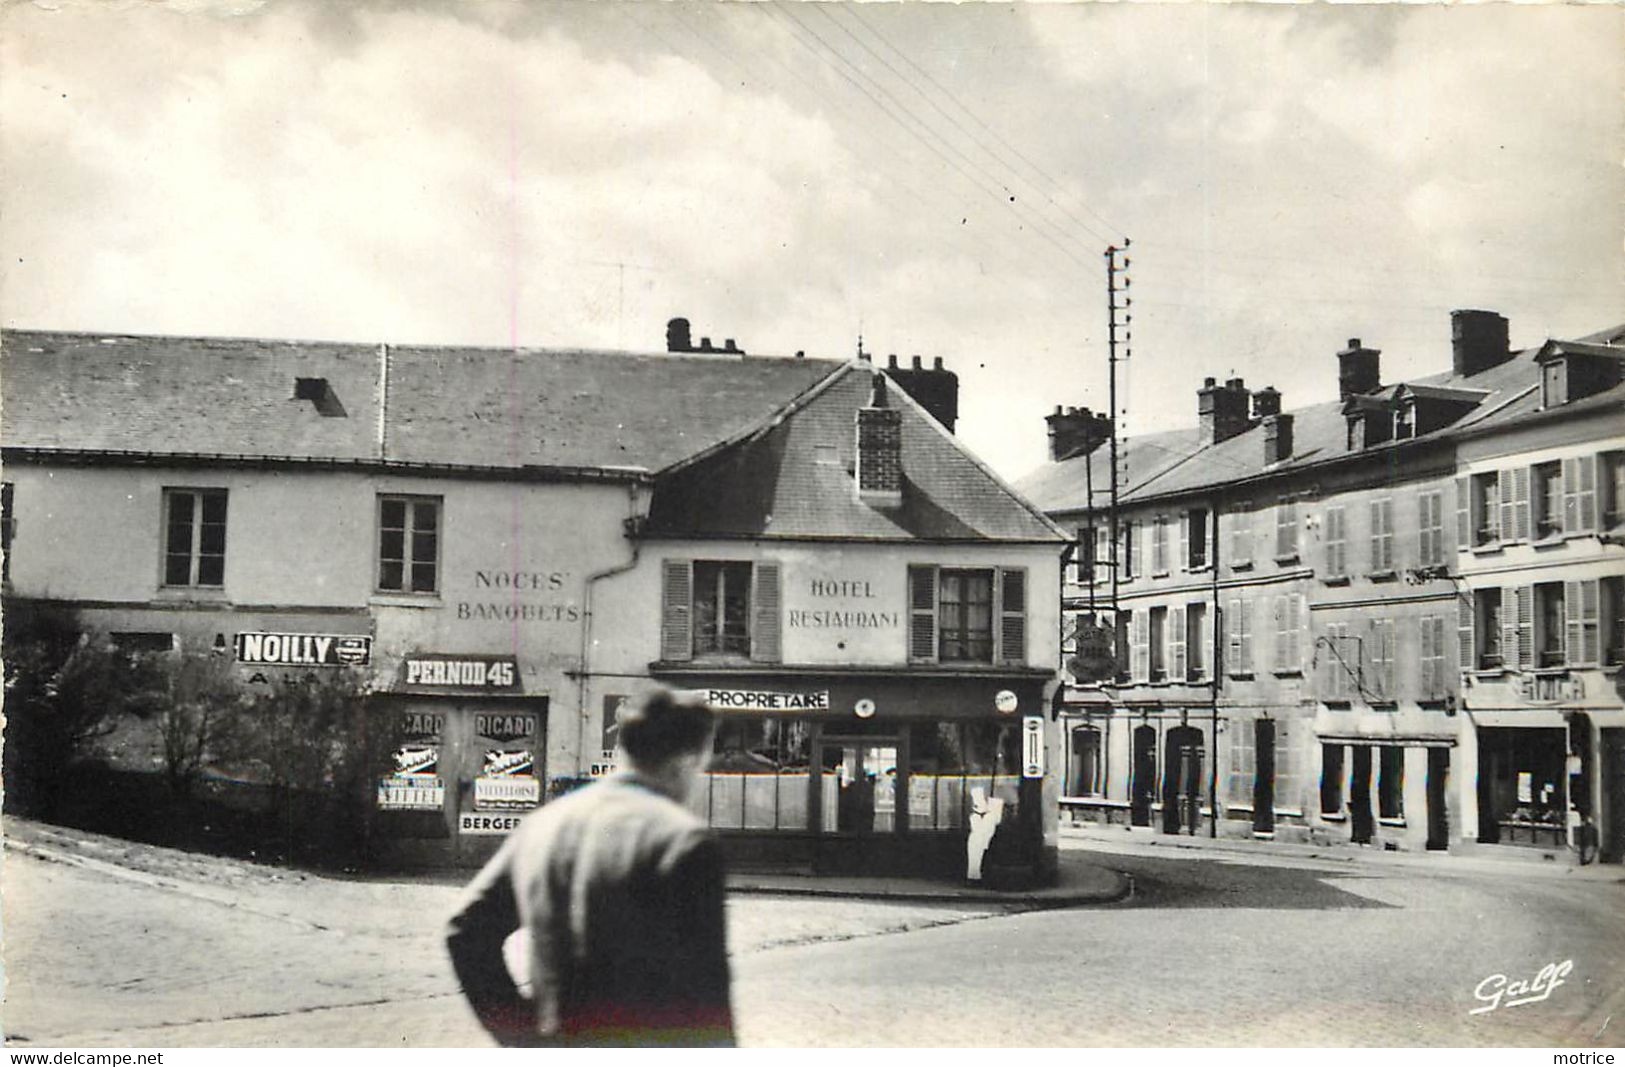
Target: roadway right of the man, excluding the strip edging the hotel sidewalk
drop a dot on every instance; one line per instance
(1223, 951)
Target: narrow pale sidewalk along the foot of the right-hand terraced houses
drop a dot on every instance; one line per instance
(1488, 860)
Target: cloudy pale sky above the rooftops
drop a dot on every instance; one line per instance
(940, 179)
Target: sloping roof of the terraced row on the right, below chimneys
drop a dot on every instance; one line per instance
(1176, 462)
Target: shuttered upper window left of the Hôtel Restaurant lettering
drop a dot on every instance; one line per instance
(719, 610)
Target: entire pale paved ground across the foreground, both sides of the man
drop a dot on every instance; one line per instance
(134, 946)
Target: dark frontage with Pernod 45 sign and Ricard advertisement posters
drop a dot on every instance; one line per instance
(462, 764)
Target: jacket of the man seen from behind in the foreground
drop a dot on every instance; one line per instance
(620, 892)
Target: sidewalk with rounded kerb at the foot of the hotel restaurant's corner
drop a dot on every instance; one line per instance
(1081, 883)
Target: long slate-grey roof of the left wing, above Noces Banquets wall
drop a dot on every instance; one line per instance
(496, 408)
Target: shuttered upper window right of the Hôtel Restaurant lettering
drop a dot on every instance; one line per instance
(968, 616)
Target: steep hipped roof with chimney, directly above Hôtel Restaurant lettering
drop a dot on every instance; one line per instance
(794, 480)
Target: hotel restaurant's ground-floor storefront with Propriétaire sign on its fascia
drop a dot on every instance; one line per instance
(873, 771)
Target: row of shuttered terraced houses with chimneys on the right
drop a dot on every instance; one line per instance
(1395, 620)
